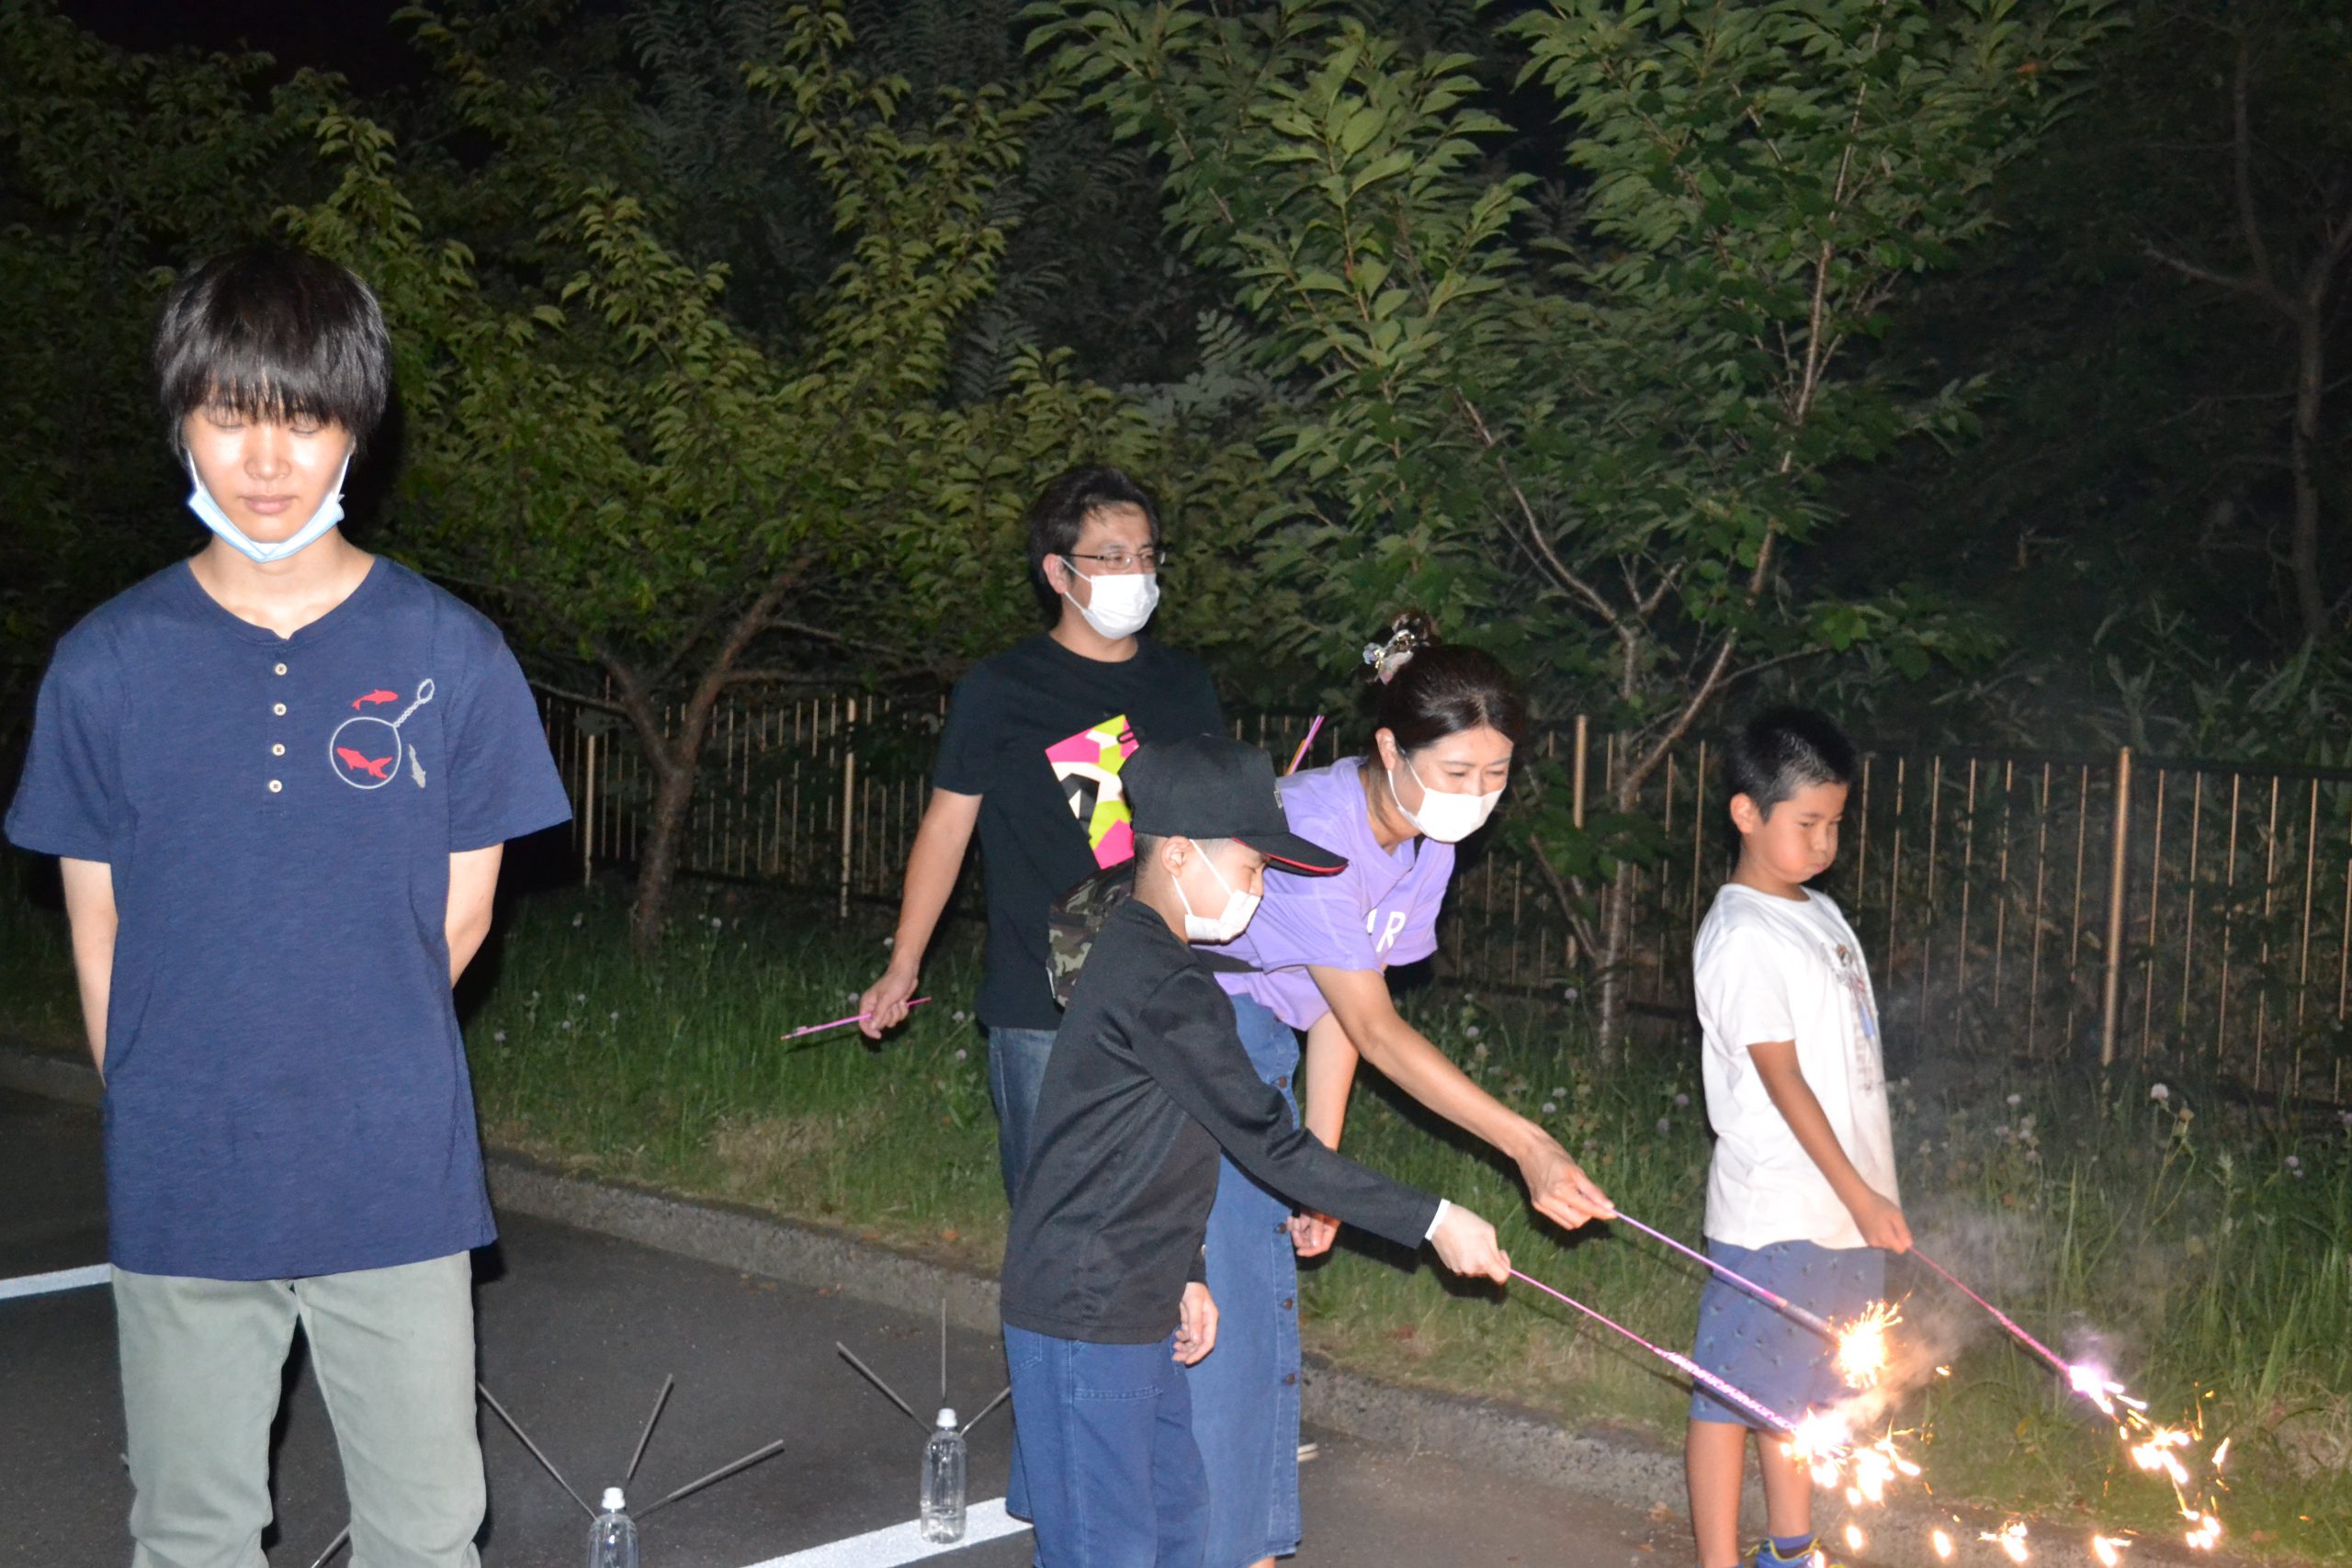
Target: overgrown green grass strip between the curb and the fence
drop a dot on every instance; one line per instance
(2200, 1249)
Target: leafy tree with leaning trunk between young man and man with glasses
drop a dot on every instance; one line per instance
(664, 502)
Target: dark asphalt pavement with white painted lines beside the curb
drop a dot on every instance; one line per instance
(577, 1334)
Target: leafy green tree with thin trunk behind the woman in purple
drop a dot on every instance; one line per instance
(1603, 434)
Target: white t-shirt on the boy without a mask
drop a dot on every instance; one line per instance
(1789, 970)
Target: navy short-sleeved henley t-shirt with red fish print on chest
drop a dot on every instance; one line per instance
(286, 1083)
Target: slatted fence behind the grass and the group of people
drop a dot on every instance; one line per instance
(2012, 904)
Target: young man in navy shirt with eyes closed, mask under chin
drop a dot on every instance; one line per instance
(279, 779)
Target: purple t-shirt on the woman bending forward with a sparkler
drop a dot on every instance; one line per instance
(1382, 911)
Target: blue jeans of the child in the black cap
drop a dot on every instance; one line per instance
(1104, 1438)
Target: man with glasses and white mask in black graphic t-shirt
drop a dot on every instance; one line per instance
(1031, 758)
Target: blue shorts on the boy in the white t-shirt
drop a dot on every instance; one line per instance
(1765, 1353)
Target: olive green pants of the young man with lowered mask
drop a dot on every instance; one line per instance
(394, 1360)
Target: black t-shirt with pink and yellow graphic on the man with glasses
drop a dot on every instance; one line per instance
(1038, 735)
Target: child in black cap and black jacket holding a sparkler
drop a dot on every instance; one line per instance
(1149, 1080)
